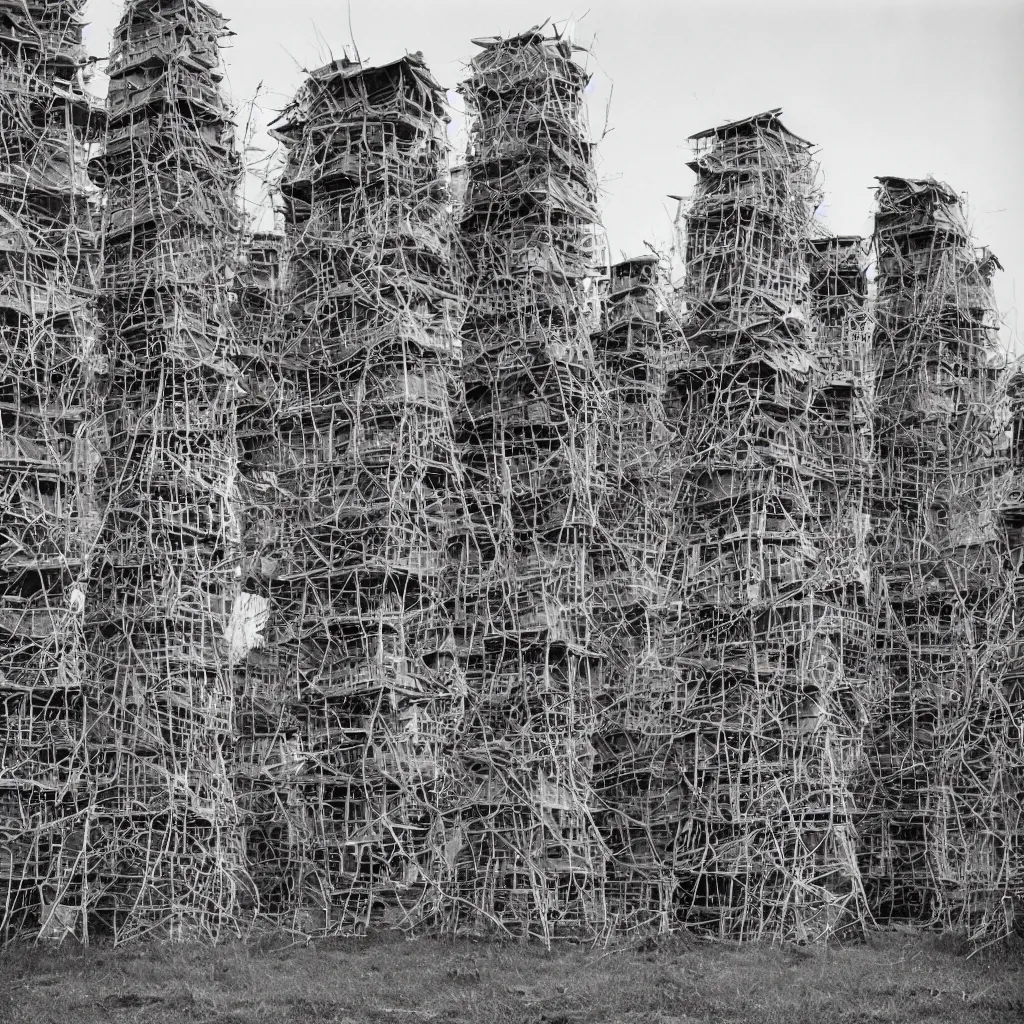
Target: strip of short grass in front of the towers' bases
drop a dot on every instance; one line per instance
(389, 980)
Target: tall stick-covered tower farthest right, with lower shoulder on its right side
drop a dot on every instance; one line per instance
(936, 844)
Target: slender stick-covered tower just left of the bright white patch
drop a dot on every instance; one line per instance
(163, 837)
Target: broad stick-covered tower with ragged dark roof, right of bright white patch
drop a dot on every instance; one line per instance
(360, 635)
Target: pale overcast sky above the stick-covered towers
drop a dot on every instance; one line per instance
(909, 88)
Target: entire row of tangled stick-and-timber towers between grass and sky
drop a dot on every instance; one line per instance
(411, 566)
